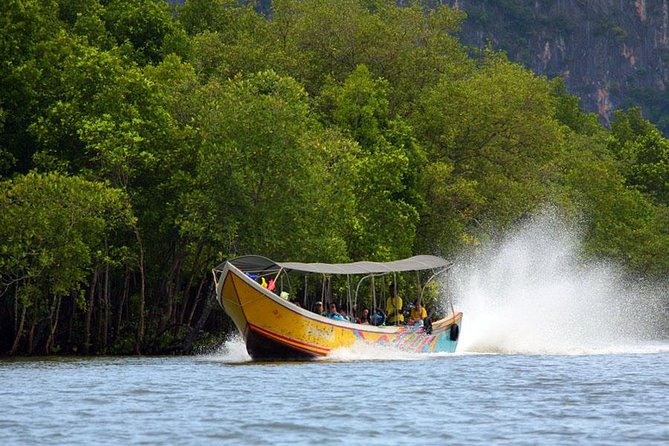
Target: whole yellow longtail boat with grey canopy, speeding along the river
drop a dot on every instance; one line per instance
(253, 292)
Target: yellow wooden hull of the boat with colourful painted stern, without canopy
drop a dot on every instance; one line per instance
(274, 328)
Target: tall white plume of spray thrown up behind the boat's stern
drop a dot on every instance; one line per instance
(531, 293)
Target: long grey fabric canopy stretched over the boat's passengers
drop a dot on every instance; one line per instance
(256, 263)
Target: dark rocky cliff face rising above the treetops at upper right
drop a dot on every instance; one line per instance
(612, 53)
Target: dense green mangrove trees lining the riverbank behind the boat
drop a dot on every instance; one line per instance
(140, 145)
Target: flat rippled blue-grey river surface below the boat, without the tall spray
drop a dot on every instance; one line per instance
(457, 399)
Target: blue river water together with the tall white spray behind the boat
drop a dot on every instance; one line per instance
(552, 351)
